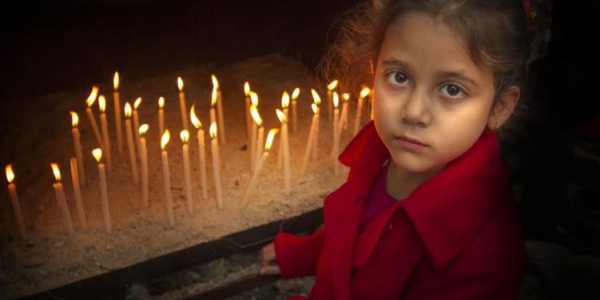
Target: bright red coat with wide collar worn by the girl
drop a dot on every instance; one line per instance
(456, 236)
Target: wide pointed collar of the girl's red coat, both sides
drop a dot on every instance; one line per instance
(449, 208)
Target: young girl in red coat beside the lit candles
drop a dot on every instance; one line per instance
(427, 210)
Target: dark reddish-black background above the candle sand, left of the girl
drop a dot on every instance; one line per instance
(60, 45)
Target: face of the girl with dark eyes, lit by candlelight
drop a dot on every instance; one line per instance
(431, 102)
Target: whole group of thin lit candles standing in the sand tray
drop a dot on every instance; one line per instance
(136, 144)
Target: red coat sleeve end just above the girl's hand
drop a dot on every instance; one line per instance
(297, 256)
